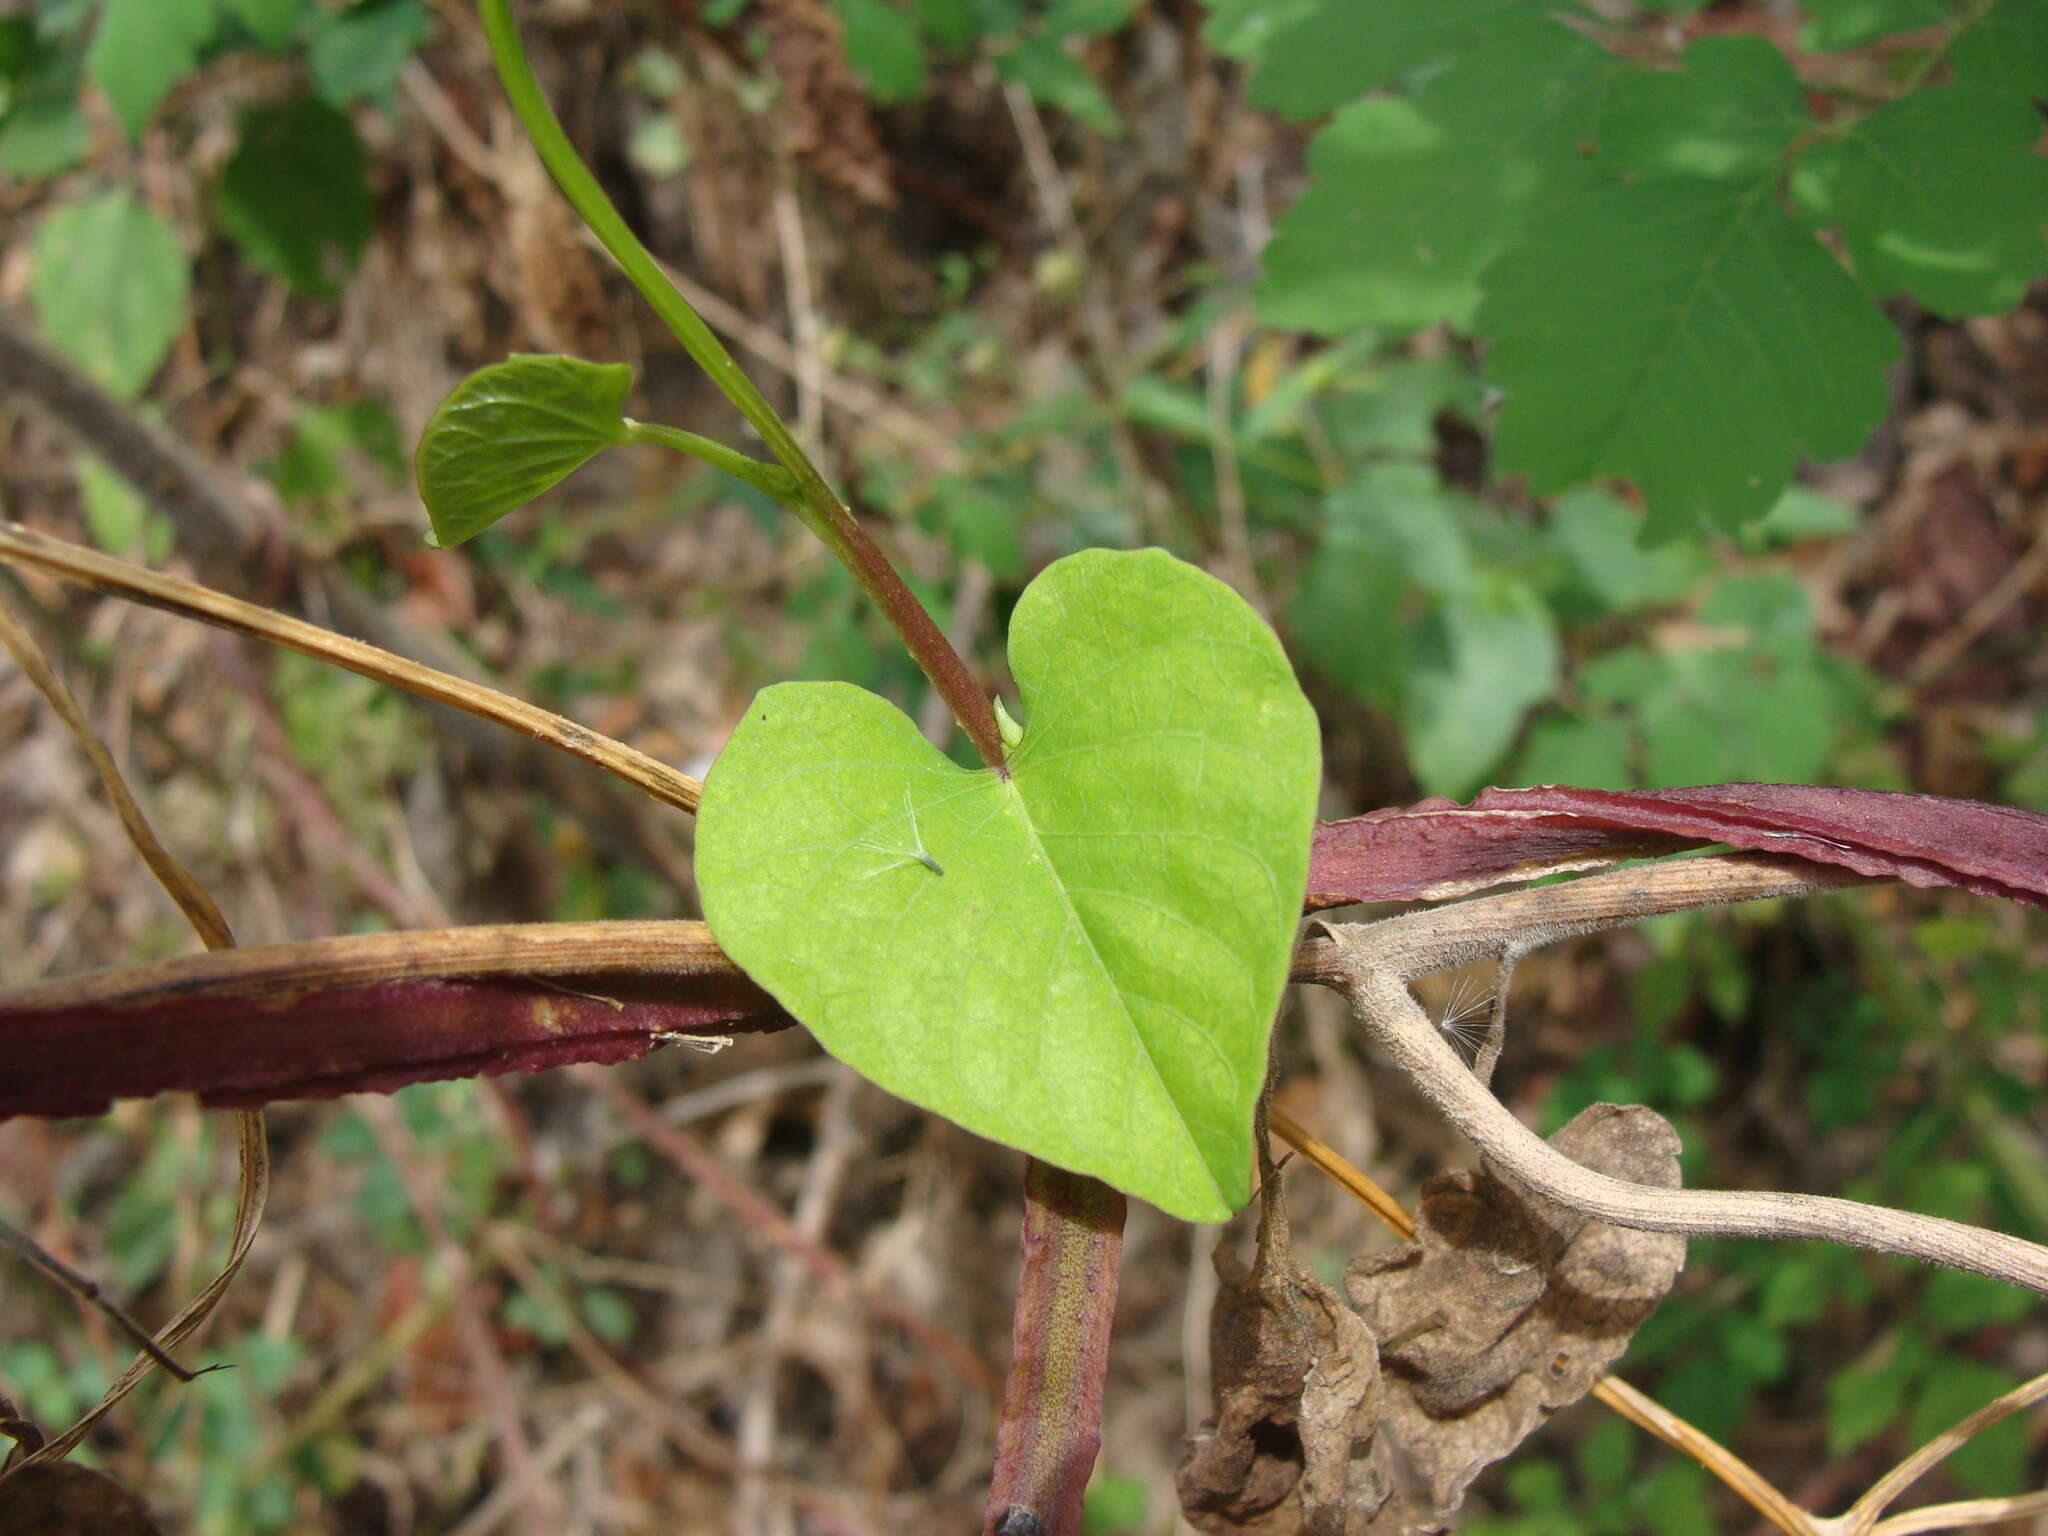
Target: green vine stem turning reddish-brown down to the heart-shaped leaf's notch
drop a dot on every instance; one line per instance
(812, 499)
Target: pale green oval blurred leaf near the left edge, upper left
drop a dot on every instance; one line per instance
(110, 288)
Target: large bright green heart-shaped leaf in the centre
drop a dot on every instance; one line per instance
(1080, 959)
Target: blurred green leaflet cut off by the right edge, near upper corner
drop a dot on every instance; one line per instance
(1938, 196)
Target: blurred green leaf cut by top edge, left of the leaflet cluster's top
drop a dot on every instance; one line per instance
(1345, 48)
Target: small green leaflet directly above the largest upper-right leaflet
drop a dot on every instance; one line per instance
(1727, 114)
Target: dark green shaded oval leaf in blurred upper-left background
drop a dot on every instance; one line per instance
(296, 194)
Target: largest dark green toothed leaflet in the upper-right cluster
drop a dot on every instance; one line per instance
(1684, 335)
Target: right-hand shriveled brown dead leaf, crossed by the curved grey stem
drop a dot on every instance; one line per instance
(1508, 1308)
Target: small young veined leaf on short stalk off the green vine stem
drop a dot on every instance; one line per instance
(511, 431)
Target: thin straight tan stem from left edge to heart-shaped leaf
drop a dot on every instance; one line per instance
(118, 579)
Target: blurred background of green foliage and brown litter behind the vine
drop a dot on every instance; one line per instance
(1615, 396)
